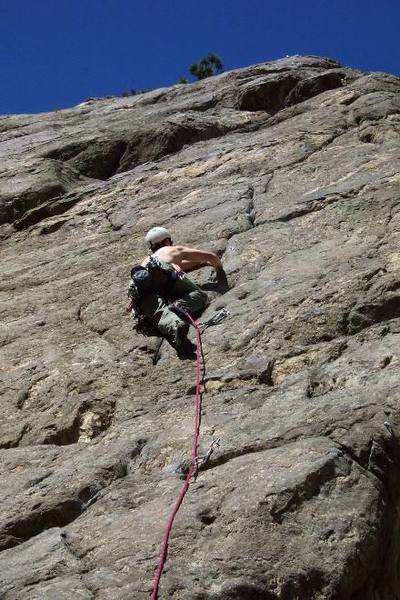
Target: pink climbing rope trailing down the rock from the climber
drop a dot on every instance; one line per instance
(192, 469)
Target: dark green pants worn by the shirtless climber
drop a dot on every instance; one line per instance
(184, 294)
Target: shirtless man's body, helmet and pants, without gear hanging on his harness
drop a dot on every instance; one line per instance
(183, 294)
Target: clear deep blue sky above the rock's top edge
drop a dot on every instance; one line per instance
(56, 53)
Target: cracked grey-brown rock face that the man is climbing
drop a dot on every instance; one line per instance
(289, 170)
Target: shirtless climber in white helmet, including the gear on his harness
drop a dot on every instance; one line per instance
(162, 292)
